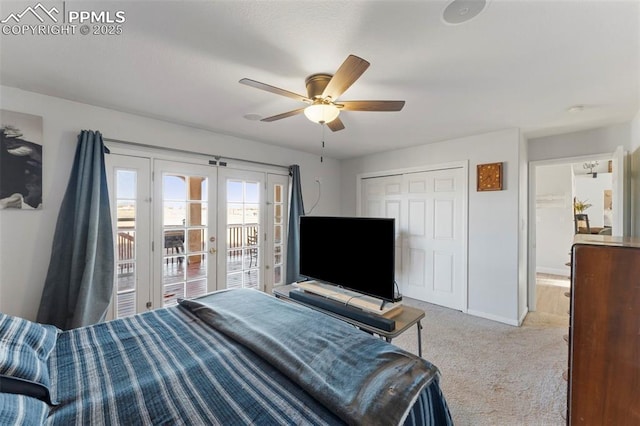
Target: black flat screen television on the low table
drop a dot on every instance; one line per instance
(356, 253)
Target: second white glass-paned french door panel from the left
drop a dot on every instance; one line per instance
(185, 241)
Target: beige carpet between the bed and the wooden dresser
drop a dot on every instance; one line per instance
(493, 373)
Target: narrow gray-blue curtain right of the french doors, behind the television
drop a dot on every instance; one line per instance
(296, 209)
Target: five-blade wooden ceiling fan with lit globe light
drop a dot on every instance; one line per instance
(323, 91)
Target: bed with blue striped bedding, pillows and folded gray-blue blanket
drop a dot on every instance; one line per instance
(230, 357)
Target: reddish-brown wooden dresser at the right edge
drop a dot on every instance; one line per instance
(604, 333)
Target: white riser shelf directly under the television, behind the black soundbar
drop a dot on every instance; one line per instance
(349, 298)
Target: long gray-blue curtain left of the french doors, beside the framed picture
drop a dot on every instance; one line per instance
(79, 283)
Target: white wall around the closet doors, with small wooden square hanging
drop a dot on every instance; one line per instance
(494, 217)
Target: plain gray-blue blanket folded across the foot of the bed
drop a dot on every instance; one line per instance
(362, 379)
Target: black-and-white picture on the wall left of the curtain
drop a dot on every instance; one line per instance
(20, 161)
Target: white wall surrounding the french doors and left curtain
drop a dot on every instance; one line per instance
(26, 236)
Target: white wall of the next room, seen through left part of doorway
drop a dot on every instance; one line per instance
(554, 218)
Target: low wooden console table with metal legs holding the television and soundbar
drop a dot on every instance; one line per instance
(405, 317)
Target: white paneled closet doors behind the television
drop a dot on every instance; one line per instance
(429, 208)
